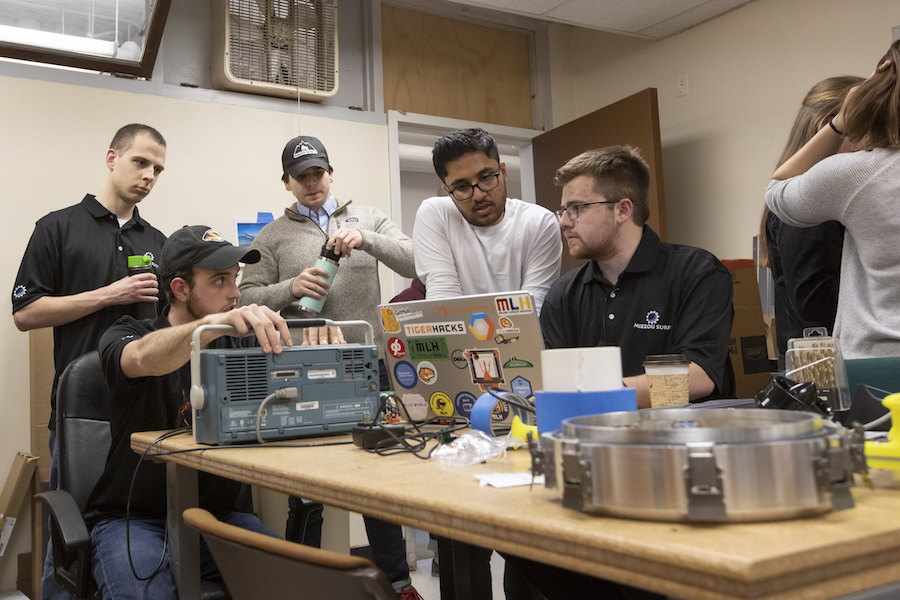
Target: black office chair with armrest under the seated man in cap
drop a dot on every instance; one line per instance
(83, 441)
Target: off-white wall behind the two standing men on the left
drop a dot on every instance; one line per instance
(222, 162)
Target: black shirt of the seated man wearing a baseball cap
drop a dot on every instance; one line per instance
(148, 404)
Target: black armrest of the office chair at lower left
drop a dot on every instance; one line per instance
(71, 543)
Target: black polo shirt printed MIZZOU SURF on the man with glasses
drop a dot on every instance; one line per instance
(670, 299)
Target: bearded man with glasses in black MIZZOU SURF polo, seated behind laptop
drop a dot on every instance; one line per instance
(635, 292)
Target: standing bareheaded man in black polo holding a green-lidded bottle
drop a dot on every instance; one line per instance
(74, 274)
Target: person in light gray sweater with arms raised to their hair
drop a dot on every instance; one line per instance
(859, 189)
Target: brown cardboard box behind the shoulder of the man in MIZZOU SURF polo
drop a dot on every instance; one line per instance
(748, 346)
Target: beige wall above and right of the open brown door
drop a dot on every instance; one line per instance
(747, 73)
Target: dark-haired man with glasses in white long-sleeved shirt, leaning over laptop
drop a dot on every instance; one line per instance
(475, 240)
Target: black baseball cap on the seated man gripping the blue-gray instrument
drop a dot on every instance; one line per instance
(202, 247)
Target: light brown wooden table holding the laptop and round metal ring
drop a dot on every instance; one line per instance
(805, 559)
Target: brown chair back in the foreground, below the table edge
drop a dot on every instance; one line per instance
(258, 566)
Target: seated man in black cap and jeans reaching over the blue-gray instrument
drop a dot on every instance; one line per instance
(146, 364)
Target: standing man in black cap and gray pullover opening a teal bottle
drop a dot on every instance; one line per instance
(362, 237)
